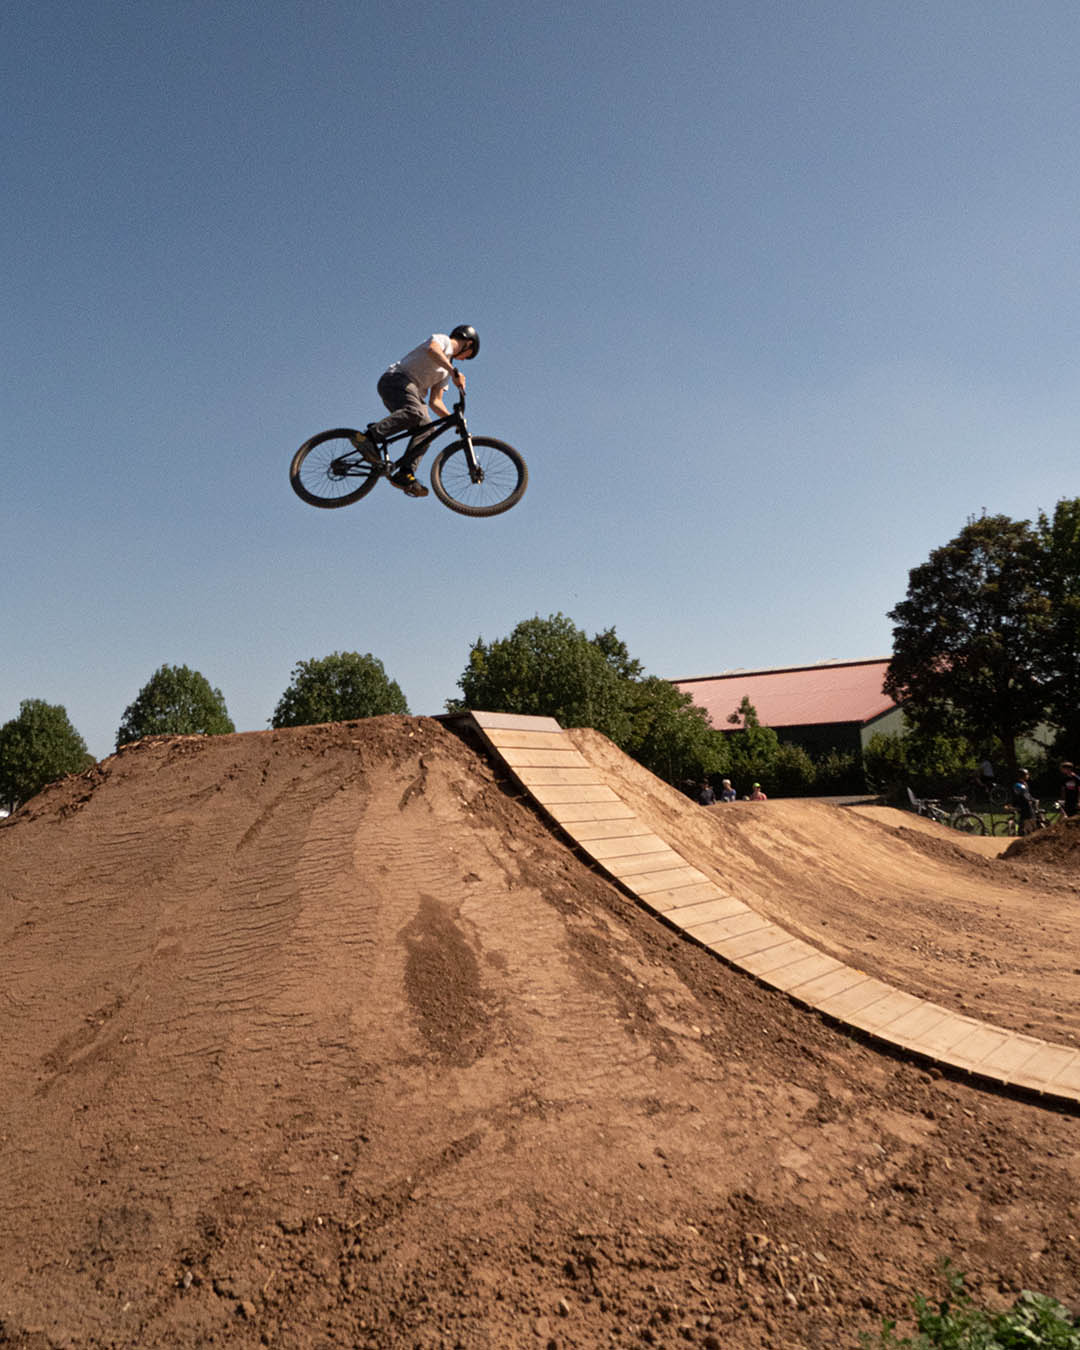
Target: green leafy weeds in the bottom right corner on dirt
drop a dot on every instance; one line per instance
(1035, 1322)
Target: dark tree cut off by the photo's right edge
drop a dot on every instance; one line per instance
(1059, 650)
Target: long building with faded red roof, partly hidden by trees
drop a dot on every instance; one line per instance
(836, 705)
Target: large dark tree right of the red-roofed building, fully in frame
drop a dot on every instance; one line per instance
(967, 637)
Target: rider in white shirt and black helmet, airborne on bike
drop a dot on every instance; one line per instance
(422, 376)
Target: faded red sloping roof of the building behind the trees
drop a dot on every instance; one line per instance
(800, 696)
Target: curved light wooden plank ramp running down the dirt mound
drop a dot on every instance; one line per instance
(561, 781)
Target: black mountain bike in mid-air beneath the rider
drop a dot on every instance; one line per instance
(473, 476)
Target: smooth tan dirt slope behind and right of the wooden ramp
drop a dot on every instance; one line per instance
(909, 901)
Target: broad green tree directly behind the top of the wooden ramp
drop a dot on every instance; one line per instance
(547, 668)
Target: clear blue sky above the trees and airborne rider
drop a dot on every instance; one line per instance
(773, 298)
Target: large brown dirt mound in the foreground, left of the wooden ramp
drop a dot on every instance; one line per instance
(321, 1039)
